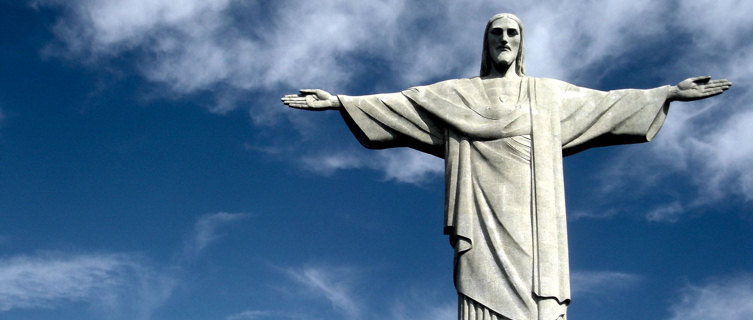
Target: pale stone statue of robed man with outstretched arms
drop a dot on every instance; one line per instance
(502, 136)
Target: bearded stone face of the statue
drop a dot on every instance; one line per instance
(503, 41)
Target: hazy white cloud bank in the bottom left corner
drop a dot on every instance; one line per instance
(118, 286)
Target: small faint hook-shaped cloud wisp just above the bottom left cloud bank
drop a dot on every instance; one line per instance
(205, 232)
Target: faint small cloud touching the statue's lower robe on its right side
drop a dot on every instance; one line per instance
(599, 283)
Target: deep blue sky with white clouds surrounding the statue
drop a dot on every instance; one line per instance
(149, 171)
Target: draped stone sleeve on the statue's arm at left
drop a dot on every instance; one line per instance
(392, 120)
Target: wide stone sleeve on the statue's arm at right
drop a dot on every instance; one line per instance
(591, 118)
